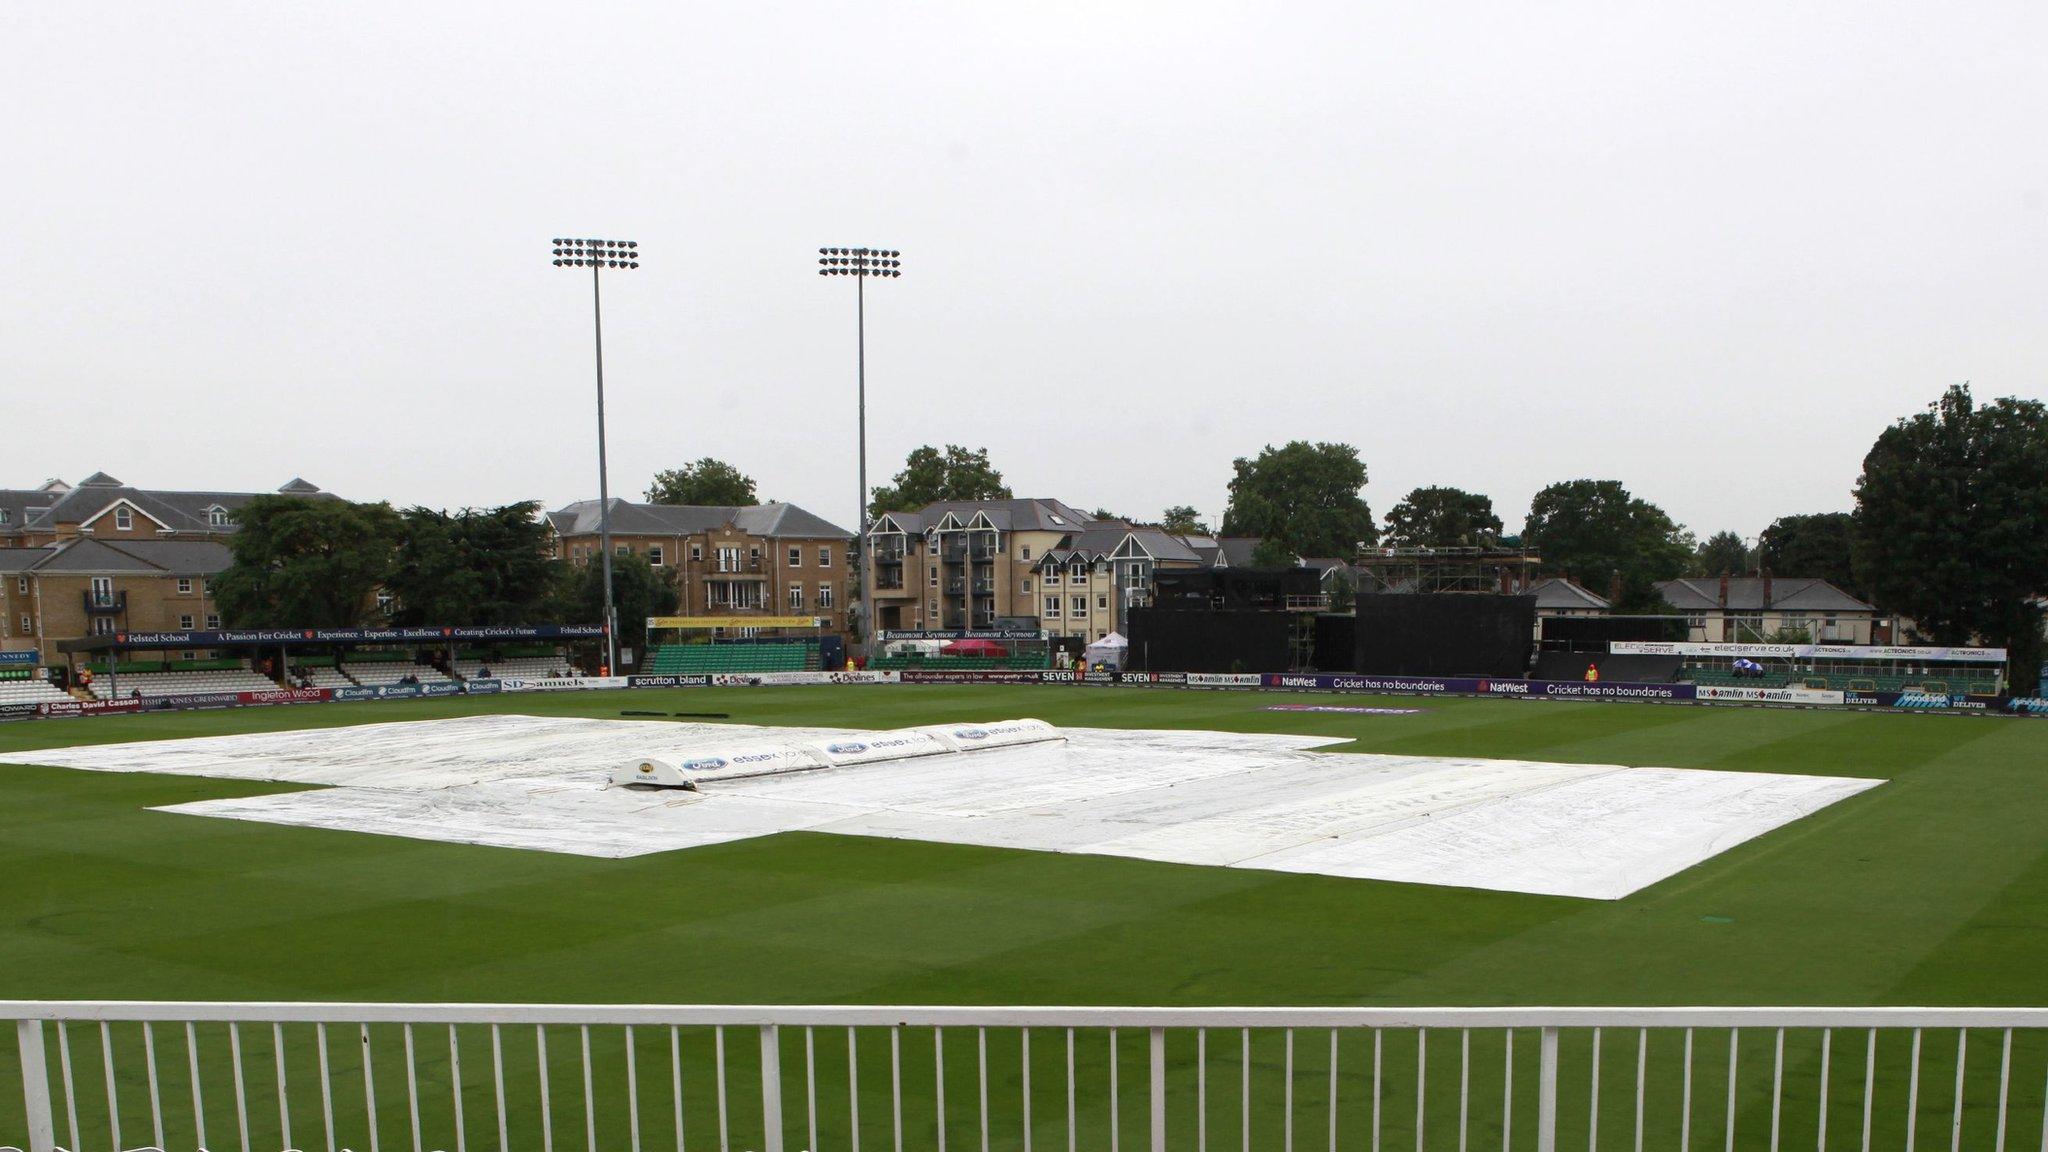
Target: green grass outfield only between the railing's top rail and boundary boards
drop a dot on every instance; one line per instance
(1928, 891)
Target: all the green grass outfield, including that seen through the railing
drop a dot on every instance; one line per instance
(1928, 891)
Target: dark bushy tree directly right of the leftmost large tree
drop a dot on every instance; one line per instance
(480, 567)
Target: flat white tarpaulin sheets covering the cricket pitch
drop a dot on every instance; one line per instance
(1211, 798)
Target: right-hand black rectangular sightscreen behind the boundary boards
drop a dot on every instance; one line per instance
(1447, 634)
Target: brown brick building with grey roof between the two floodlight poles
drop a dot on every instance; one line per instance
(767, 561)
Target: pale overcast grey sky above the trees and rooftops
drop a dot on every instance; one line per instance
(1709, 251)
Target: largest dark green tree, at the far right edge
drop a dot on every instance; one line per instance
(1953, 524)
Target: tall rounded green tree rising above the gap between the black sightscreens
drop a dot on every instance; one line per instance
(1304, 499)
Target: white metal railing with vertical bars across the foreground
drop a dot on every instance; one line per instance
(110, 1075)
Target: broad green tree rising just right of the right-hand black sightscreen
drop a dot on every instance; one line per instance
(1598, 534)
